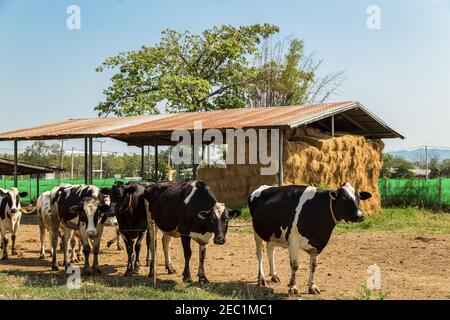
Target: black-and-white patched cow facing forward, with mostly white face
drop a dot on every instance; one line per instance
(82, 208)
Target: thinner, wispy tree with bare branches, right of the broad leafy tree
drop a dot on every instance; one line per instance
(289, 77)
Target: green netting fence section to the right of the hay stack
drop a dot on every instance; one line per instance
(431, 193)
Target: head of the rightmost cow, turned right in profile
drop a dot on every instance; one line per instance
(347, 203)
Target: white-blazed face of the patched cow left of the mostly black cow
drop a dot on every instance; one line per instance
(95, 210)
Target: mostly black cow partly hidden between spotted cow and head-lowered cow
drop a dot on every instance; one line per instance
(131, 217)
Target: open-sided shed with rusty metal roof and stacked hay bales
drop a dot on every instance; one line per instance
(321, 144)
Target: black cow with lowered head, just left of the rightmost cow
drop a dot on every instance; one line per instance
(188, 210)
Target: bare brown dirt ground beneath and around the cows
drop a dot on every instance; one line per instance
(411, 267)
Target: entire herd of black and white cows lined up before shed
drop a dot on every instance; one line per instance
(293, 217)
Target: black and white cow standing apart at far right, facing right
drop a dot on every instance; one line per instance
(299, 217)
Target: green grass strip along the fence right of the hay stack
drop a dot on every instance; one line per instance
(411, 220)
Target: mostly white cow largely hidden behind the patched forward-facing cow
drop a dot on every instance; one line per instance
(43, 212)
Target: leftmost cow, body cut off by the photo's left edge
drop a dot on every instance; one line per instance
(10, 216)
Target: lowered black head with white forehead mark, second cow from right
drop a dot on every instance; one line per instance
(216, 220)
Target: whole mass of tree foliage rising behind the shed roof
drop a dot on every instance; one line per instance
(223, 67)
